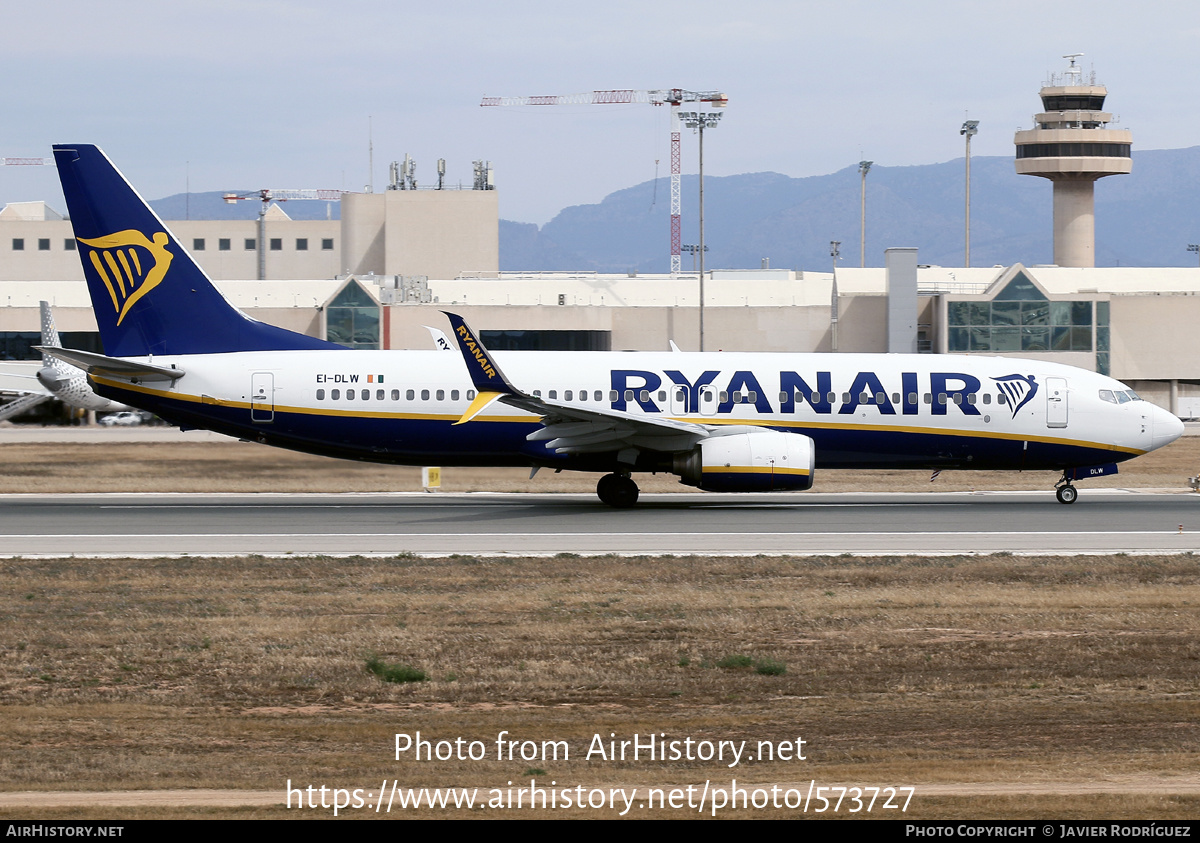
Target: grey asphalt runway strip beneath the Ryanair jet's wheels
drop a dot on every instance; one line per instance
(493, 524)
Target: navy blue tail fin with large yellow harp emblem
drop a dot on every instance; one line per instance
(148, 294)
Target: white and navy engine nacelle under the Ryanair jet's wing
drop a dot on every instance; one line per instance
(761, 461)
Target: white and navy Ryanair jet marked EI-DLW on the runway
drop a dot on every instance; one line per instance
(723, 422)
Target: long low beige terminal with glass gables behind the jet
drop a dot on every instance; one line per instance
(1125, 322)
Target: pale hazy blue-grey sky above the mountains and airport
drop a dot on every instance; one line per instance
(278, 94)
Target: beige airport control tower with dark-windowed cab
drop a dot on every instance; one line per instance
(1072, 147)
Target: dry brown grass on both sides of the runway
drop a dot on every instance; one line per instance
(963, 673)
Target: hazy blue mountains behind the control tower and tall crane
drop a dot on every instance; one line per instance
(1145, 219)
